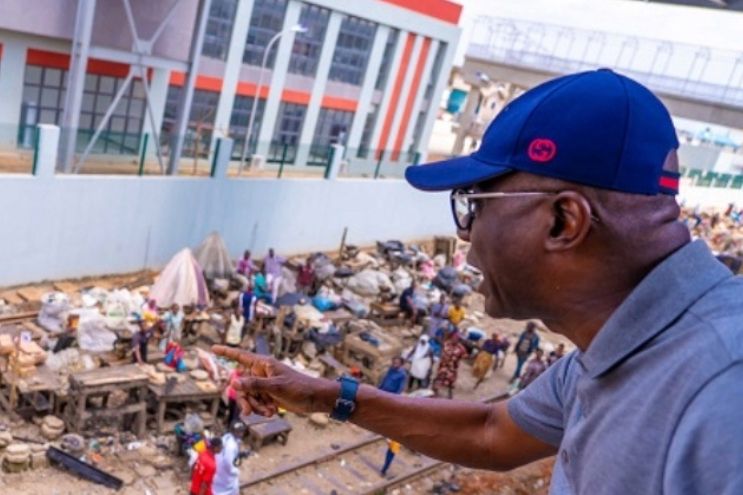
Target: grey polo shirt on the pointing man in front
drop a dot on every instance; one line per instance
(655, 404)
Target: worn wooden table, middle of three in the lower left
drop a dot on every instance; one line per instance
(100, 383)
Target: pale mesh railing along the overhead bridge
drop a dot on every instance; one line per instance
(696, 72)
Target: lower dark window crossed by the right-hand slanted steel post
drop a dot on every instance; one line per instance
(200, 123)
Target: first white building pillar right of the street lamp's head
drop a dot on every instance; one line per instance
(318, 87)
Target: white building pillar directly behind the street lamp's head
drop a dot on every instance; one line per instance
(278, 77)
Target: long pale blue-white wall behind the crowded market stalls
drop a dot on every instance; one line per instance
(71, 226)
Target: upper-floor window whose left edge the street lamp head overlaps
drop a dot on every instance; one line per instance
(307, 46)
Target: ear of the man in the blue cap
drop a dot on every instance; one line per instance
(571, 221)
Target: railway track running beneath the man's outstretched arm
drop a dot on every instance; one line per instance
(352, 469)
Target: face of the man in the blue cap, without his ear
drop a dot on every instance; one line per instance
(505, 246)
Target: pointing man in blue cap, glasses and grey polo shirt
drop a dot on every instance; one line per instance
(569, 206)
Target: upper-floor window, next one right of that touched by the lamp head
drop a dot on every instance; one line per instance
(355, 41)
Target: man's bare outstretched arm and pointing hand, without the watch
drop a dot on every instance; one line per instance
(467, 433)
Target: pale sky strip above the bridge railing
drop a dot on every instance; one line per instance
(693, 25)
